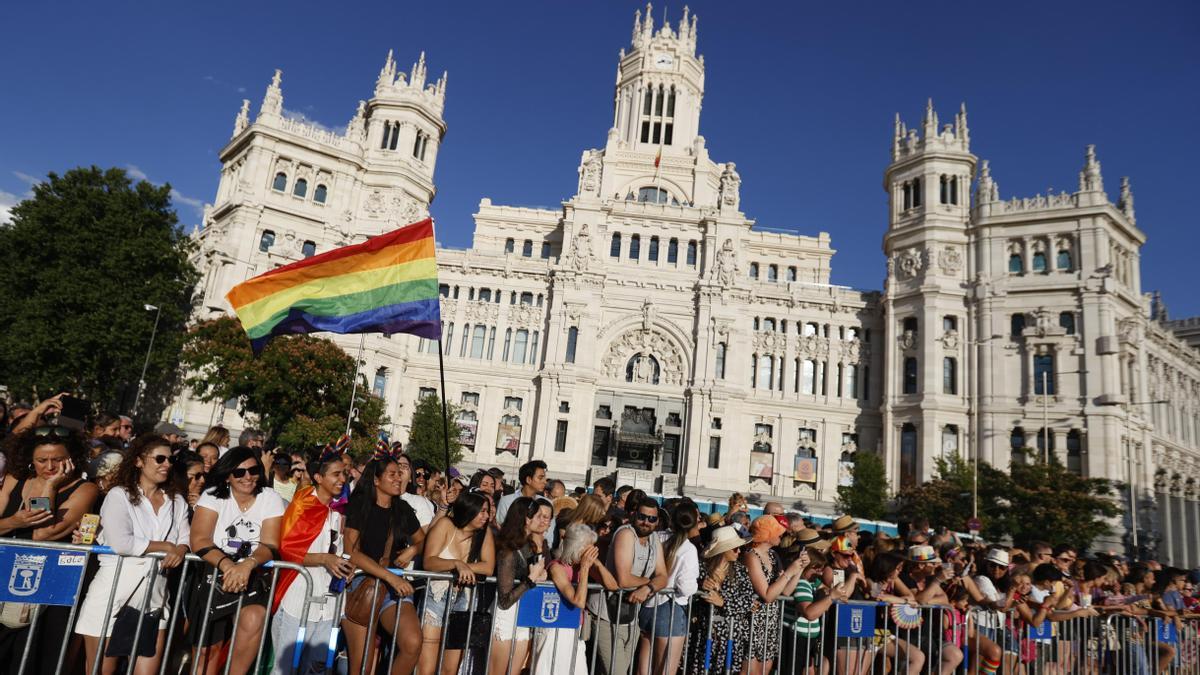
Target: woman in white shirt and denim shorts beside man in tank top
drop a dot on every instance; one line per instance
(664, 617)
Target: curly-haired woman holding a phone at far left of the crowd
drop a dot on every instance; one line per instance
(44, 498)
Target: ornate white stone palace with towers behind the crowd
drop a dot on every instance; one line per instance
(650, 328)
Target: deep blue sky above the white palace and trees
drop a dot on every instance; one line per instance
(801, 95)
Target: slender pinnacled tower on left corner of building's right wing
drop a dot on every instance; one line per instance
(926, 410)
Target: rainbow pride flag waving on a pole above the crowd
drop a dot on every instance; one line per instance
(388, 284)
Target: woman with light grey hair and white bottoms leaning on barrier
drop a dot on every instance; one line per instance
(562, 650)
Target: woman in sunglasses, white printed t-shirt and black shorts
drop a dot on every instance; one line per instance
(236, 529)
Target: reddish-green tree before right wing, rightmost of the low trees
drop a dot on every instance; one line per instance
(1053, 504)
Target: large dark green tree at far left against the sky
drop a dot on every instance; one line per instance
(79, 265)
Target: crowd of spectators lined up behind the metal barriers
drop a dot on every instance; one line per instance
(399, 558)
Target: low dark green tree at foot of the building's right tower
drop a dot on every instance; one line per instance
(946, 500)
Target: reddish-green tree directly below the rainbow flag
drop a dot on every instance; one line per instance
(299, 387)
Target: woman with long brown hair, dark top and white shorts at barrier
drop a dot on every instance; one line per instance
(520, 566)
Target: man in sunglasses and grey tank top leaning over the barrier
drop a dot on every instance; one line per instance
(637, 560)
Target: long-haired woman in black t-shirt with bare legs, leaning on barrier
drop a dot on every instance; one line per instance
(382, 533)
